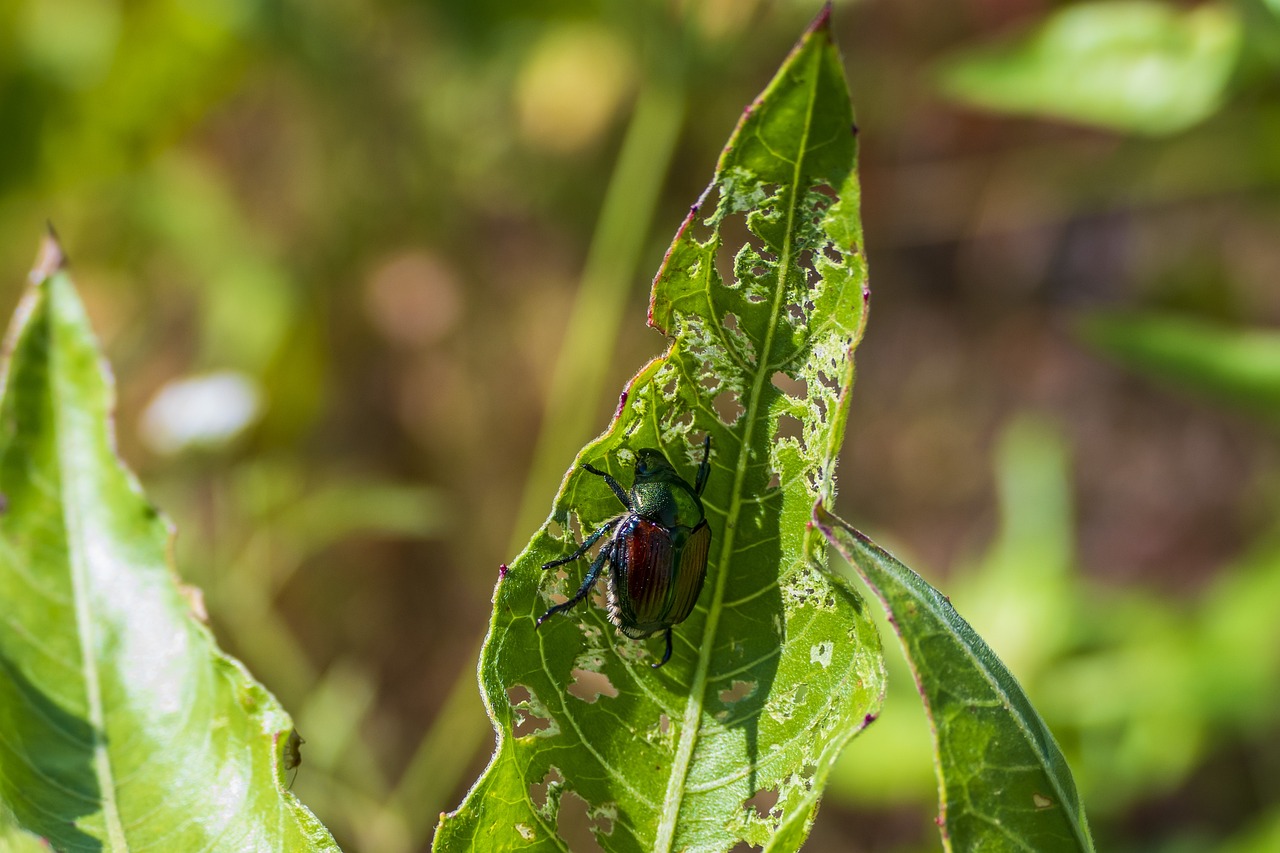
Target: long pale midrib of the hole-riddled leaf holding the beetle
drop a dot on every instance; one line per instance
(691, 727)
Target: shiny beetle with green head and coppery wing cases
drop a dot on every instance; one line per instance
(657, 555)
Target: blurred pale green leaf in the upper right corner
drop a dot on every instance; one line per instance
(1136, 66)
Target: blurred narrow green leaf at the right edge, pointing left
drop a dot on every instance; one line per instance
(1241, 367)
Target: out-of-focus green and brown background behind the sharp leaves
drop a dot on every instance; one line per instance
(371, 273)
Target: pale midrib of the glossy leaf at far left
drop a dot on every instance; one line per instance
(77, 549)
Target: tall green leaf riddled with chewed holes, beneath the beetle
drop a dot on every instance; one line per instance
(779, 665)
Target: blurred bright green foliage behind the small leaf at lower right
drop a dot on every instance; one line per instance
(1139, 690)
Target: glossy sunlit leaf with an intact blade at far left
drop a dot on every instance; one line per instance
(122, 726)
